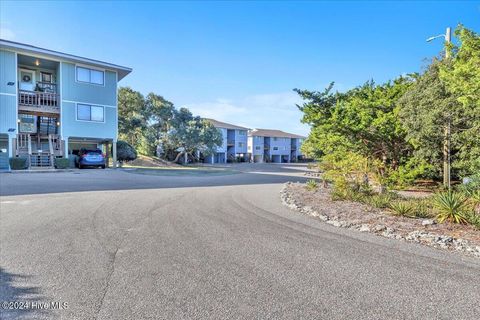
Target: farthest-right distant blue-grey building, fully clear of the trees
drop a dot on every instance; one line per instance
(266, 145)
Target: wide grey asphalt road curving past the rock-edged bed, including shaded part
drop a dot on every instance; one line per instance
(118, 245)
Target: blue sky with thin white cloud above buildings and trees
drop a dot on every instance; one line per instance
(239, 61)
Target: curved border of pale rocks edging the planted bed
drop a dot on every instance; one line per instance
(418, 236)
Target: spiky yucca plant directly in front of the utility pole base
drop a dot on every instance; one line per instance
(451, 206)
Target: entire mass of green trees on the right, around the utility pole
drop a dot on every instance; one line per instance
(399, 127)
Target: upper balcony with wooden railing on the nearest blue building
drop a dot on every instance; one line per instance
(39, 101)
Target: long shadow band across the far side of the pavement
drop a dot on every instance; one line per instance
(103, 180)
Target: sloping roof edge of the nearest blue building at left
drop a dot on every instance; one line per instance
(7, 44)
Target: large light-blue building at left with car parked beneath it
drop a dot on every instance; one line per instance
(52, 104)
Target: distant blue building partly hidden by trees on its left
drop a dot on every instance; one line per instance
(234, 146)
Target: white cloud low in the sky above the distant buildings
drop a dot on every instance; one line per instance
(267, 111)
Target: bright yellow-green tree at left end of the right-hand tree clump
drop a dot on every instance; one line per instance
(363, 120)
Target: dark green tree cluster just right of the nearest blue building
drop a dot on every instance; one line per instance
(153, 126)
